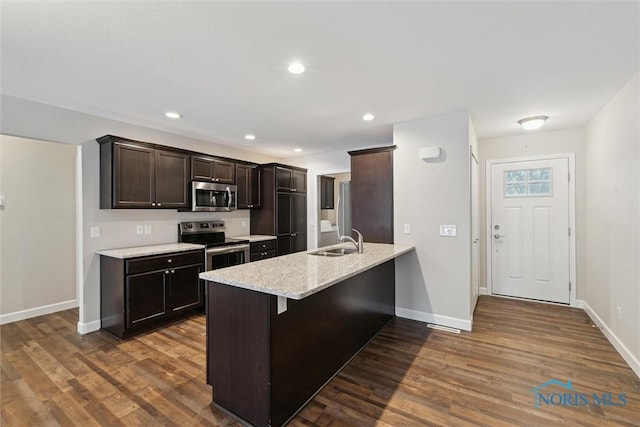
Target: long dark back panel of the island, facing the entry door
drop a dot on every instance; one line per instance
(317, 335)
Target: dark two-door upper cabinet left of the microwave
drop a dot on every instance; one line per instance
(138, 175)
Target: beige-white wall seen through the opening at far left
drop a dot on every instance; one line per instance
(37, 228)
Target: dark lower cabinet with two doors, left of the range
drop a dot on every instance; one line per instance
(139, 294)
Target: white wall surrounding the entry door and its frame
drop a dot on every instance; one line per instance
(533, 144)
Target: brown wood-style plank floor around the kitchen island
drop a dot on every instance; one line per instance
(408, 375)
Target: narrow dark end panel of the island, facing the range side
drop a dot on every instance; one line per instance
(238, 351)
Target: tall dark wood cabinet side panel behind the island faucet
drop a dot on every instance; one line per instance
(372, 193)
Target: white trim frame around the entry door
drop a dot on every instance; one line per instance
(572, 217)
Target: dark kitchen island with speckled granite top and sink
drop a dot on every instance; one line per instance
(279, 329)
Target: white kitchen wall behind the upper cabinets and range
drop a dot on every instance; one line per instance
(29, 119)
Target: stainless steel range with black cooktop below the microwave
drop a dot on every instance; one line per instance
(221, 251)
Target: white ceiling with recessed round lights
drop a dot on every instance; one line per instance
(223, 65)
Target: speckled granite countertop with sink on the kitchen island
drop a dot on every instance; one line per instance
(299, 275)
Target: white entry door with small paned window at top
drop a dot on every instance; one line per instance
(530, 229)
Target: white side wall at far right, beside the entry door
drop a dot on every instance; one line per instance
(612, 221)
